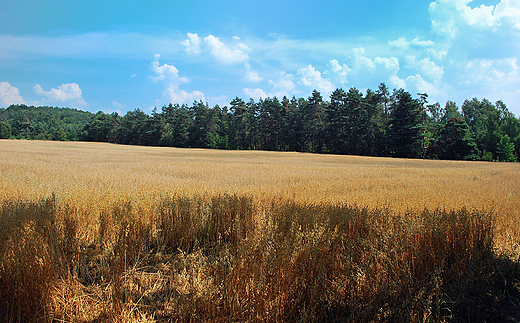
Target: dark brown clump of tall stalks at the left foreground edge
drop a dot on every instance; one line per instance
(29, 259)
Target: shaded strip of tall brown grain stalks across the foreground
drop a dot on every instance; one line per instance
(231, 258)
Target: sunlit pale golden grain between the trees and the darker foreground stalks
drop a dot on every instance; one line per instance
(93, 175)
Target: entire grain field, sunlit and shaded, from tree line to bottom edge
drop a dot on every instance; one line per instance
(98, 232)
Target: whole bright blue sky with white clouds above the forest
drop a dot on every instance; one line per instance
(116, 56)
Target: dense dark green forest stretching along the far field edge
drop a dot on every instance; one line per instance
(374, 123)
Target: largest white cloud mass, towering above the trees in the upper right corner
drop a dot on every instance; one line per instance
(479, 47)
